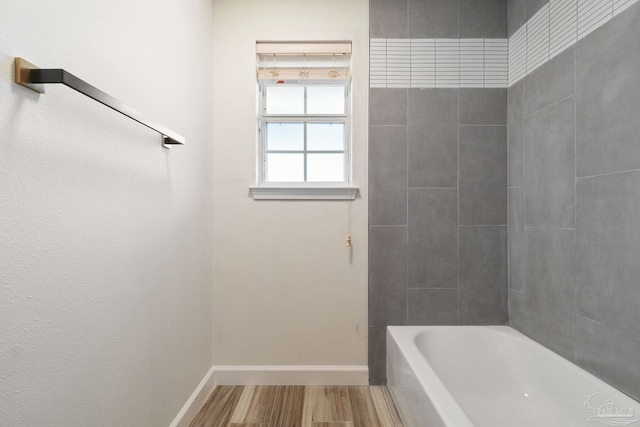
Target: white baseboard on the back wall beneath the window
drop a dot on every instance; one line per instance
(290, 375)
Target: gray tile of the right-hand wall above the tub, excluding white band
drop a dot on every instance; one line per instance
(574, 199)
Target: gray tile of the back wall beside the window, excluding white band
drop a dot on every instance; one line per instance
(437, 185)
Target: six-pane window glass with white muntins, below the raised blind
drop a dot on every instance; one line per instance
(304, 133)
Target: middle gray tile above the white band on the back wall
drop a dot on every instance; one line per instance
(433, 18)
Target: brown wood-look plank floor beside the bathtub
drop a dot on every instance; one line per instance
(298, 406)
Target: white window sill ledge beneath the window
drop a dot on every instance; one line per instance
(288, 192)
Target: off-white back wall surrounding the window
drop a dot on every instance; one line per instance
(287, 290)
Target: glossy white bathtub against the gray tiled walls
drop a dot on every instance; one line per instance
(493, 376)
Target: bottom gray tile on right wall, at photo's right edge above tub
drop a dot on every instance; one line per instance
(609, 354)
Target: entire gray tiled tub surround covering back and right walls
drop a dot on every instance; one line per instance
(446, 180)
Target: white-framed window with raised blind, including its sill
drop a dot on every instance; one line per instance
(304, 116)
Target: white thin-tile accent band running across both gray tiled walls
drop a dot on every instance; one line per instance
(488, 63)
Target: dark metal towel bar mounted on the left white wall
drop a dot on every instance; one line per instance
(32, 77)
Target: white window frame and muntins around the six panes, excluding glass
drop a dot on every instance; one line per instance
(304, 118)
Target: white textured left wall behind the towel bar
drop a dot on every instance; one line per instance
(105, 237)
